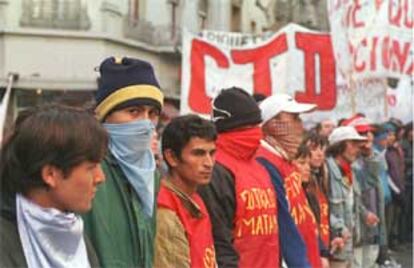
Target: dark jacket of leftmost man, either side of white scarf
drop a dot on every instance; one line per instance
(11, 250)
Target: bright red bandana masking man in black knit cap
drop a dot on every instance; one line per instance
(241, 143)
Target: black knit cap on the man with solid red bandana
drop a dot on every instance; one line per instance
(234, 108)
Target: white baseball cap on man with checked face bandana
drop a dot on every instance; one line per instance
(273, 105)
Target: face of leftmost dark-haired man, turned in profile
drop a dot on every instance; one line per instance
(75, 192)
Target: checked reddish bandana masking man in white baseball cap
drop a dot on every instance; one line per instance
(285, 135)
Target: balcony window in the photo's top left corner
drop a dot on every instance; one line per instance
(62, 14)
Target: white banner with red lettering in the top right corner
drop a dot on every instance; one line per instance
(373, 38)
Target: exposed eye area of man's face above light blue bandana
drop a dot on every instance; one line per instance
(133, 113)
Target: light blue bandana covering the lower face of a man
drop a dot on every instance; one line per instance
(130, 144)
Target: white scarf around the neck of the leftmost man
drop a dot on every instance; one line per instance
(49, 237)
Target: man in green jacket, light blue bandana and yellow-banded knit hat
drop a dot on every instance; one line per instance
(121, 224)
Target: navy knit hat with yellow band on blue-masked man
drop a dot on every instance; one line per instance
(126, 82)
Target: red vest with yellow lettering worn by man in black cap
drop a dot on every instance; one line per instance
(256, 229)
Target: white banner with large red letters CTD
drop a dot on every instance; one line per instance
(295, 60)
